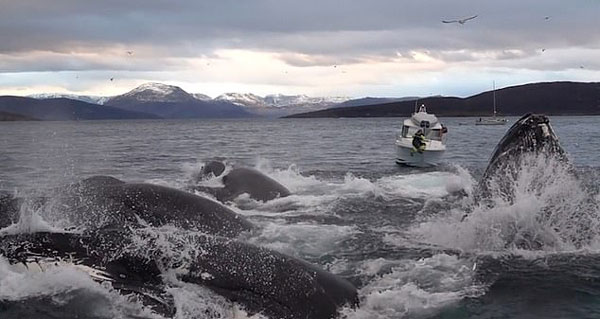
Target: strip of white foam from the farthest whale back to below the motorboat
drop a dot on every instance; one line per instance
(309, 193)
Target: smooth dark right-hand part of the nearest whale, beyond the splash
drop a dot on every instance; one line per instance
(270, 282)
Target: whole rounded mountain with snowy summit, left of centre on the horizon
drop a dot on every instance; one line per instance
(169, 101)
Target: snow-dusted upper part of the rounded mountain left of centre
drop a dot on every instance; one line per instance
(155, 92)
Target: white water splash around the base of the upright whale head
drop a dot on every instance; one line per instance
(538, 205)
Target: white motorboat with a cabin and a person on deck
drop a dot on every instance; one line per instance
(435, 140)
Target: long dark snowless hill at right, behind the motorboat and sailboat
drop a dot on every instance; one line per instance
(552, 98)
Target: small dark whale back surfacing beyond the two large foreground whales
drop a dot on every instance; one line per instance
(242, 180)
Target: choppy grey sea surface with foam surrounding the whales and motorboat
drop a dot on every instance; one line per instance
(397, 233)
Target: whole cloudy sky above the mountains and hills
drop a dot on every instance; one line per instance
(314, 47)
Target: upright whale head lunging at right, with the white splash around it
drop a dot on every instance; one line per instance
(530, 167)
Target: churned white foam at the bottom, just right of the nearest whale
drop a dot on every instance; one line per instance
(414, 288)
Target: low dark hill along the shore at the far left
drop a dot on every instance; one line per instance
(65, 109)
